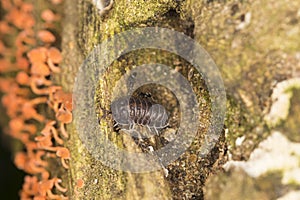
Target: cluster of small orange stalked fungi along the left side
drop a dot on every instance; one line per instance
(28, 61)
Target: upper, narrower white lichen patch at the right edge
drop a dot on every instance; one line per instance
(281, 96)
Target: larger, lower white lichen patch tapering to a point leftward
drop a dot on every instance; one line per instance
(276, 153)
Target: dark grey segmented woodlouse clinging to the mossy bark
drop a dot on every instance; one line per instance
(130, 110)
